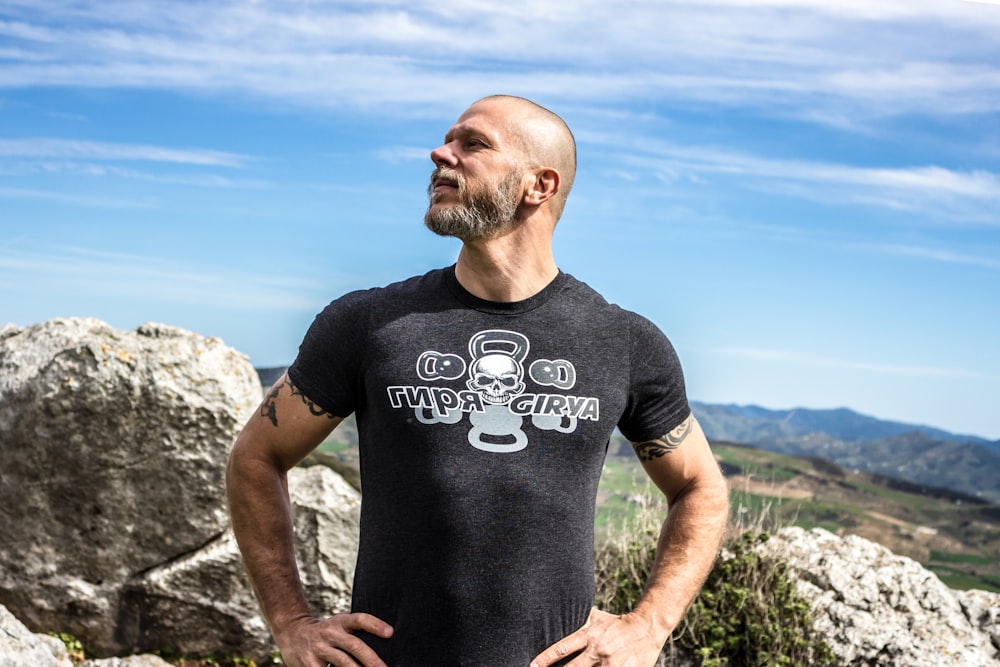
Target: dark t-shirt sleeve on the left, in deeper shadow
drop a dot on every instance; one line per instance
(328, 366)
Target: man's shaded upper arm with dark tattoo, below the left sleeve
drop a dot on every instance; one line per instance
(286, 426)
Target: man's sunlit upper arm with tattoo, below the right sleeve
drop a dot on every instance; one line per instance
(679, 459)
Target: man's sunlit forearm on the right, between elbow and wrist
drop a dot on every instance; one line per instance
(686, 550)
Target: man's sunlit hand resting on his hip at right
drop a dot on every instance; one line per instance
(606, 640)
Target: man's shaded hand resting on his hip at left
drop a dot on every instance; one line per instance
(314, 643)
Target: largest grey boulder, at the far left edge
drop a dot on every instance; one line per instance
(112, 452)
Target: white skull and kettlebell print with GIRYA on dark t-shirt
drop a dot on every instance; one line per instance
(495, 395)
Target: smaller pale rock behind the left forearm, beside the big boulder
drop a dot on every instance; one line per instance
(203, 604)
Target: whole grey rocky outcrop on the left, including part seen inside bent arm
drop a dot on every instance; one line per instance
(112, 453)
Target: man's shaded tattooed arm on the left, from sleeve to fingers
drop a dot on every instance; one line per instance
(285, 428)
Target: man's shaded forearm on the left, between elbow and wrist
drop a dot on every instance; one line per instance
(262, 521)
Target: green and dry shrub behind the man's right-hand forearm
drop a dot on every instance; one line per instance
(748, 614)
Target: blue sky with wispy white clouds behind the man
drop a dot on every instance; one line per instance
(804, 195)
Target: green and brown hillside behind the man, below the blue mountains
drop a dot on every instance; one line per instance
(958, 540)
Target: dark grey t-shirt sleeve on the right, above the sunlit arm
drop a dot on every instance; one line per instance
(657, 400)
